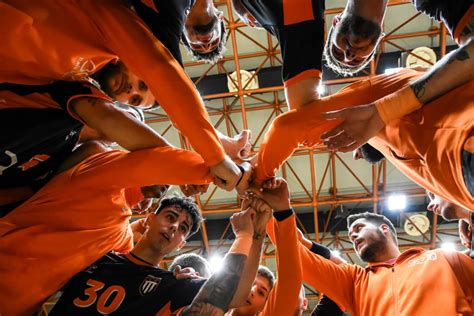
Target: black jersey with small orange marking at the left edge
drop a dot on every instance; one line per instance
(33, 147)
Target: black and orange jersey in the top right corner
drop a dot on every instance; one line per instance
(456, 15)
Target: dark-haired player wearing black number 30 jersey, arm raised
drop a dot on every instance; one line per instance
(133, 284)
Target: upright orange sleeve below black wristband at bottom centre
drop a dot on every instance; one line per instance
(283, 299)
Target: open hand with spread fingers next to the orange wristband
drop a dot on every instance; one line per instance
(360, 123)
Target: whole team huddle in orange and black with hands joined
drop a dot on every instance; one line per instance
(87, 69)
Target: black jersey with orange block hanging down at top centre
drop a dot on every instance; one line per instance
(299, 28)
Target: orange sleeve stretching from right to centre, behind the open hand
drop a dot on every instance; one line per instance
(306, 124)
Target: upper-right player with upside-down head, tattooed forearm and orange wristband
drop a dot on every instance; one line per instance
(351, 45)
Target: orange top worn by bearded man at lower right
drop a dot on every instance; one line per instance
(419, 283)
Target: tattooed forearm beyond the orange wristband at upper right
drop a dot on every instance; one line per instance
(452, 71)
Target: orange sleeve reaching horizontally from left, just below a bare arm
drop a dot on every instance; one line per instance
(162, 165)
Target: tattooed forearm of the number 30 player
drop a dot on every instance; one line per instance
(219, 290)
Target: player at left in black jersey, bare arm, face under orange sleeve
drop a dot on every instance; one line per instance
(41, 126)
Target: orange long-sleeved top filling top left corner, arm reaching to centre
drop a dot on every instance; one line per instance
(69, 40)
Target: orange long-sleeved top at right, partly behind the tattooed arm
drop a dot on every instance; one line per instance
(427, 142)
